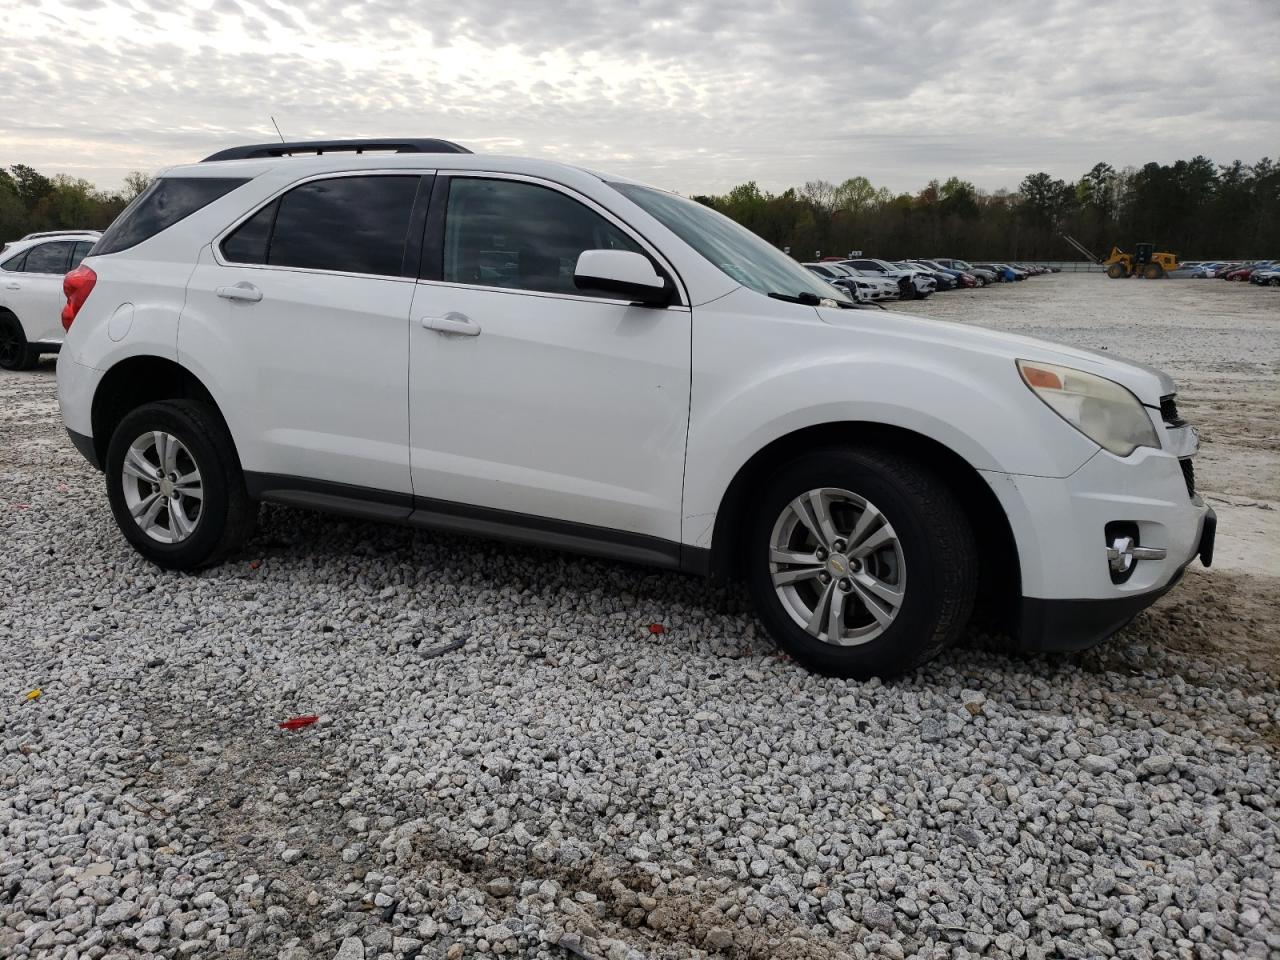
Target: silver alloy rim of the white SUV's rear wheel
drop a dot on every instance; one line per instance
(163, 488)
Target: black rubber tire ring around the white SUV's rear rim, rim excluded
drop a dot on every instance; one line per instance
(204, 543)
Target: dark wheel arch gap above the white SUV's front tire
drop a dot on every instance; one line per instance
(1000, 579)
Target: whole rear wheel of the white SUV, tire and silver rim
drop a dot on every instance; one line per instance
(216, 523)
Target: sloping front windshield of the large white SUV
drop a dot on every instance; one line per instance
(734, 249)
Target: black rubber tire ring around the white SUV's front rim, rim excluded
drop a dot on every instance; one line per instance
(912, 637)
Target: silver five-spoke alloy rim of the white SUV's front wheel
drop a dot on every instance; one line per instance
(838, 566)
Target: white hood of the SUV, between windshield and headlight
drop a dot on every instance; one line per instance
(1146, 383)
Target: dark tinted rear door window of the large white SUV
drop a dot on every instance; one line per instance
(353, 225)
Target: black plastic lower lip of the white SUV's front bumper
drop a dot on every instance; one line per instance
(1073, 625)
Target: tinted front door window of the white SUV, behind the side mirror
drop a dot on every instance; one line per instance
(509, 234)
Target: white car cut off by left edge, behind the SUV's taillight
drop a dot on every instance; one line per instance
(31, 294)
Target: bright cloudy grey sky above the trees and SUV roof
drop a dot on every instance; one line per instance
(692, 97)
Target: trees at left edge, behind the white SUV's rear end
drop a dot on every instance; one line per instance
(31, 202)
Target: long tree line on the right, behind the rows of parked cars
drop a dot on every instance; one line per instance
(1194, 208)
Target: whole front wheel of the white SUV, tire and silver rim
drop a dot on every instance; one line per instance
(929, 559)
